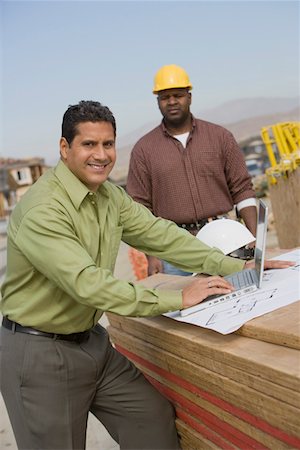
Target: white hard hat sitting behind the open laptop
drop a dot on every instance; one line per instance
(226, 234)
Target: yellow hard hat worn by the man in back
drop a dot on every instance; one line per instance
(171, 77)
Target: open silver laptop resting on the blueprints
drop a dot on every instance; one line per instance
(245, 281)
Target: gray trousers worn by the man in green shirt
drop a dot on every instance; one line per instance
(49, 386)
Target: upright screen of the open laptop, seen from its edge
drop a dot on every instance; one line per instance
(261, 235)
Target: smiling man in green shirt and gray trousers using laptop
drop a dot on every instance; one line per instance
(63, 240)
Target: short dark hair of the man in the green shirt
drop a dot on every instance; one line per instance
(85, 111)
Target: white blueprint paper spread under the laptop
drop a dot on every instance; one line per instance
(280, 287)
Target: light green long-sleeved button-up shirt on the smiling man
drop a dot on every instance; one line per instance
(62, 245)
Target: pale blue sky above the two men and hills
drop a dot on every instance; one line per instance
(55, 53)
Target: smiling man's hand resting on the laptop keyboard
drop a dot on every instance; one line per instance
(201, 288)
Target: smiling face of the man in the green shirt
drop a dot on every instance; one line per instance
(92, 153)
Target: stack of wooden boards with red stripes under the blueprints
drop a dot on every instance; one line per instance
(239, 391)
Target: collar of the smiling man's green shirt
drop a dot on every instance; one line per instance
(76, 190)
